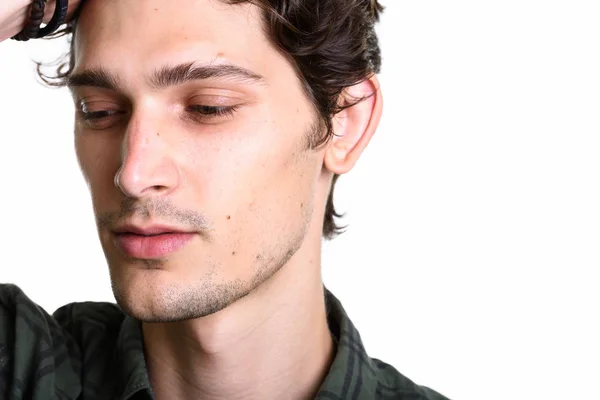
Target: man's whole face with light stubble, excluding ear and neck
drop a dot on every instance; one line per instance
(191, 132)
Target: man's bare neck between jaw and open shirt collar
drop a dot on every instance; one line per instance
(274, 343)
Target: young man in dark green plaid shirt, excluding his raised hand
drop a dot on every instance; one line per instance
(211, 133)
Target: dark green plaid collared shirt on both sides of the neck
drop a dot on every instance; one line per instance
(94, 351)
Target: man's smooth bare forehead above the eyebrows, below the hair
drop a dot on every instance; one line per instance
(121, 34)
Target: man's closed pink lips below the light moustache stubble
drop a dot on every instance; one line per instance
(150, 242)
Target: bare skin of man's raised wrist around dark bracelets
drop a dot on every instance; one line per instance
(14, 15)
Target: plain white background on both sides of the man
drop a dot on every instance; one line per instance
(471, 259)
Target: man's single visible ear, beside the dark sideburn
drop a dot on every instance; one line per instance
(354, 126)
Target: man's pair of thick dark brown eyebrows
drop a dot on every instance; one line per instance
(167, 76)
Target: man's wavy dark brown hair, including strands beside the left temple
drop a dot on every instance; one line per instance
(332, 44)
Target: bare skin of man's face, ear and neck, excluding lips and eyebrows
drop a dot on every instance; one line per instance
(242, 302)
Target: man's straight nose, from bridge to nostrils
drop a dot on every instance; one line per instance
(148, 165)
